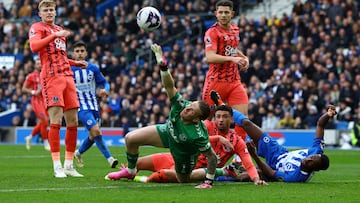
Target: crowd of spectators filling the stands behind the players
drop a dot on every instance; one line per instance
(298, 62)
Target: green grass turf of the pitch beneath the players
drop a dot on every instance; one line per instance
(27, 176)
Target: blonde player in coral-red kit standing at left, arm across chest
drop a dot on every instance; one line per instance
(57, 83)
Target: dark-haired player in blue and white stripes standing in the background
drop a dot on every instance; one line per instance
(88, 81)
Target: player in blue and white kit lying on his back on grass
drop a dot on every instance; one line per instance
(281, 164)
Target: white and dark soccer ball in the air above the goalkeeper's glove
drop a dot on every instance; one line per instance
(148, 18)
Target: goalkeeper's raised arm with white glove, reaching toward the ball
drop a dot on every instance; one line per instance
(166, 78)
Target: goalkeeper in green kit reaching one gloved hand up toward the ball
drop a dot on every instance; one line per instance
(184, 133)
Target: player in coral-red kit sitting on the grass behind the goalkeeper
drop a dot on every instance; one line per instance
(225, 142)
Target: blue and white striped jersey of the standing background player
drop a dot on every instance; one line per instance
(86, 81)
